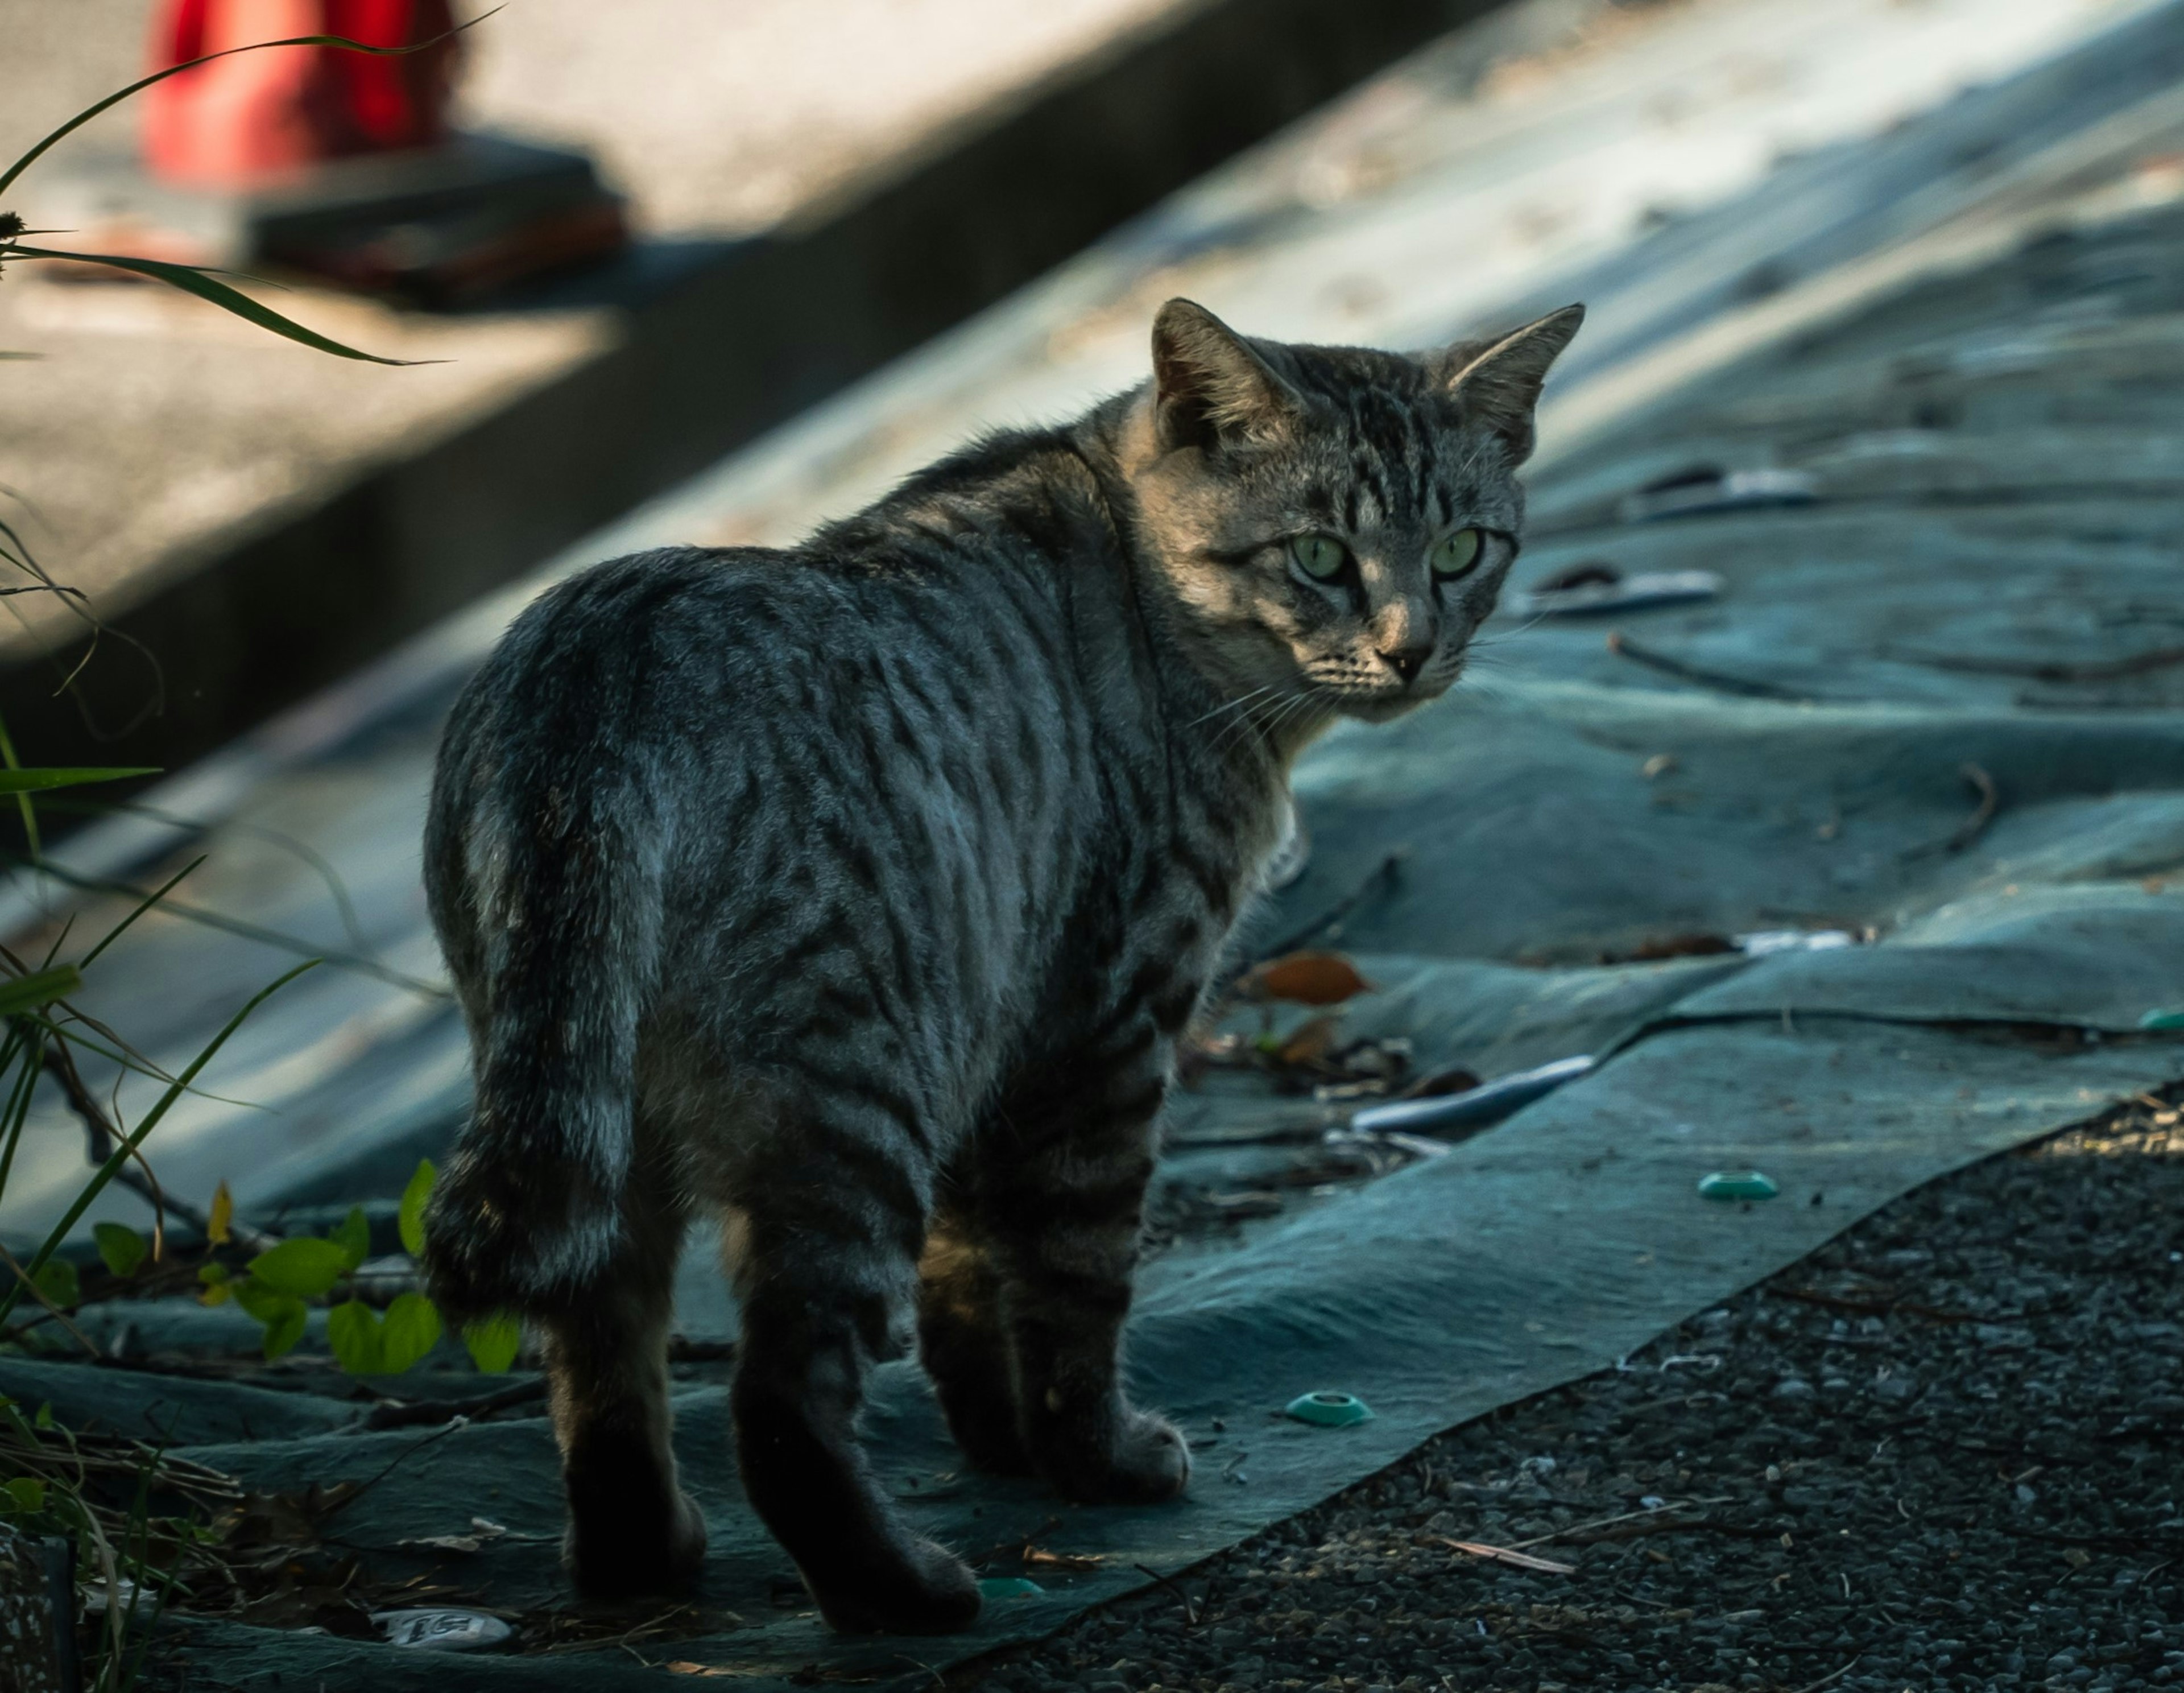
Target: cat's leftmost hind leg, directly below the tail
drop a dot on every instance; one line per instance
(630, 1526)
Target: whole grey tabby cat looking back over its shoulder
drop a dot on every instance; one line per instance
(857, 895)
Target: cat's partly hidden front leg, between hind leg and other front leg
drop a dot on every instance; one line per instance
(964, 1345)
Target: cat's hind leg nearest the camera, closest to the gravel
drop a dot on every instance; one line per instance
(833, 1224)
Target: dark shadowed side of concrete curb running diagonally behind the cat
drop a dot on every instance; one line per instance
(748, 338)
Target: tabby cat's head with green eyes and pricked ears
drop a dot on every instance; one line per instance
(1333, 523)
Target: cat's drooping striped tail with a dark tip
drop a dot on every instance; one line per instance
(551, 912)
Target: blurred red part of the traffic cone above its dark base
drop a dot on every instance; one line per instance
(261, 115)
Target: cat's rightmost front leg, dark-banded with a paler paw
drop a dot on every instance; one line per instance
(1063, 1198)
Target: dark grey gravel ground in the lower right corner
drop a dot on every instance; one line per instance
(1940, 1454)
